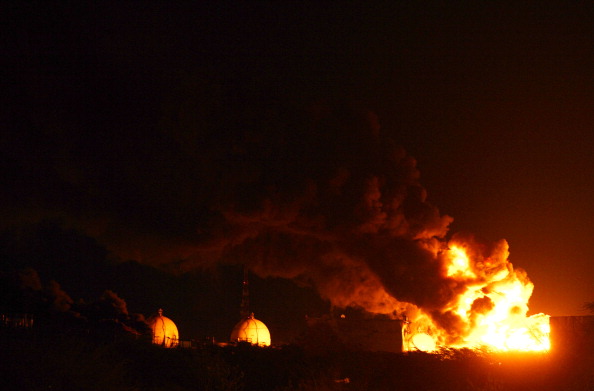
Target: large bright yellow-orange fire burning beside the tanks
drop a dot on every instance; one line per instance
(489, 312)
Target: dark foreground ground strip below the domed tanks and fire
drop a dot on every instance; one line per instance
(33, 361)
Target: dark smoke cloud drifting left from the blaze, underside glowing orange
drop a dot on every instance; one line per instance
(320, 196)
